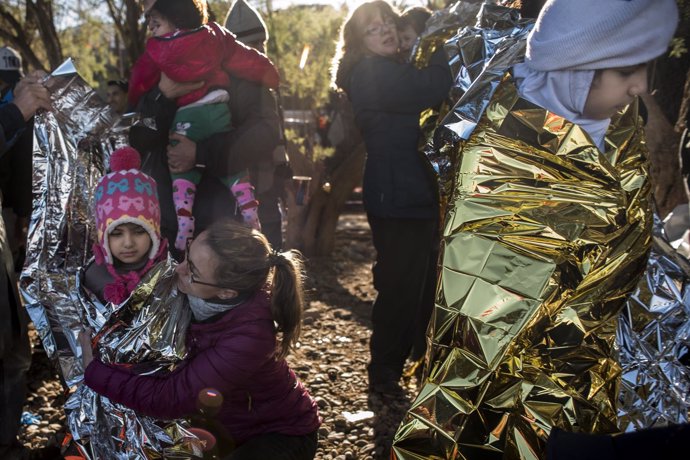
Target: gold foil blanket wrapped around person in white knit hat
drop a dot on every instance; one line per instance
(544, 239)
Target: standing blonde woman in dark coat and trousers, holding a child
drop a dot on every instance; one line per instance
(400, 195)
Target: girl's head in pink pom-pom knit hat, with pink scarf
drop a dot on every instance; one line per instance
(129, 241)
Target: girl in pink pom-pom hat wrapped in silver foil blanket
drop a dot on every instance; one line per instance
(133, 277)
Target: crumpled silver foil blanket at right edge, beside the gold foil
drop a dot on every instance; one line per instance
(653, 338)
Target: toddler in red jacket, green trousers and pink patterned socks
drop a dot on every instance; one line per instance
(188, 49)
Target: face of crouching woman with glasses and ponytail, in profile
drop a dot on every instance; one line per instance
(196, 274)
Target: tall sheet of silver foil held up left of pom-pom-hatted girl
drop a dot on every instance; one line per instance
(71, 145)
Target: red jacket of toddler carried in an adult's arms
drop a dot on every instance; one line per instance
(209, 54)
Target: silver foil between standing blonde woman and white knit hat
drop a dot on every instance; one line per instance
(478, 56)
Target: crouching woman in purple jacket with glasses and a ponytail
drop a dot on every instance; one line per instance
(246, 302)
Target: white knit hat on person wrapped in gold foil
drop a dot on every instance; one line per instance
(600, 34)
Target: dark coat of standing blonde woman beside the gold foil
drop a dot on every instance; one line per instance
(387, 98)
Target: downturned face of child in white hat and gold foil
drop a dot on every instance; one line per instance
(613, 89)
